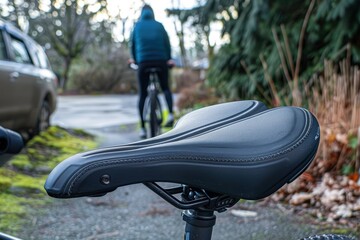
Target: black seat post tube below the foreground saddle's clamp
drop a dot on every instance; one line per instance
(199, 224)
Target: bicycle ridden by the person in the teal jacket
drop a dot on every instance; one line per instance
(152, 113)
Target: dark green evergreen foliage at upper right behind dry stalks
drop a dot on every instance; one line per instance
(258, 26)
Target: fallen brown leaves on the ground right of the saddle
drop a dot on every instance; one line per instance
(331, 186)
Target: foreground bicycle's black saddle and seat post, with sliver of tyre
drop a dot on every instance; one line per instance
(256, 160)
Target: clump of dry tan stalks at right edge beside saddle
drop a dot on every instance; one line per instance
(335, 100)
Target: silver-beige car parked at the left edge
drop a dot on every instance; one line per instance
(27, 83)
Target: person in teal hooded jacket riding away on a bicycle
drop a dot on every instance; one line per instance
(150, 47)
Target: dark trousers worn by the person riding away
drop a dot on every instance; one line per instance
(143, 80)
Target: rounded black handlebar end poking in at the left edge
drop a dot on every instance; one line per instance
(10, 141)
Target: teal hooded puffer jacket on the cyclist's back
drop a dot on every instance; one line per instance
(149, 40)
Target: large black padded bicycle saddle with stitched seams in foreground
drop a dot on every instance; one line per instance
(248, 157)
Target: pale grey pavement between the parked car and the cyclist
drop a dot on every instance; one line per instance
(112, 118)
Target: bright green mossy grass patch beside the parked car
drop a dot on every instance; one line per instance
(22, 178)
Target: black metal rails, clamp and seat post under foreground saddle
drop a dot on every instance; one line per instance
(199, 206)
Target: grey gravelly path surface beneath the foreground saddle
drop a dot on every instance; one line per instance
(134, 212)
